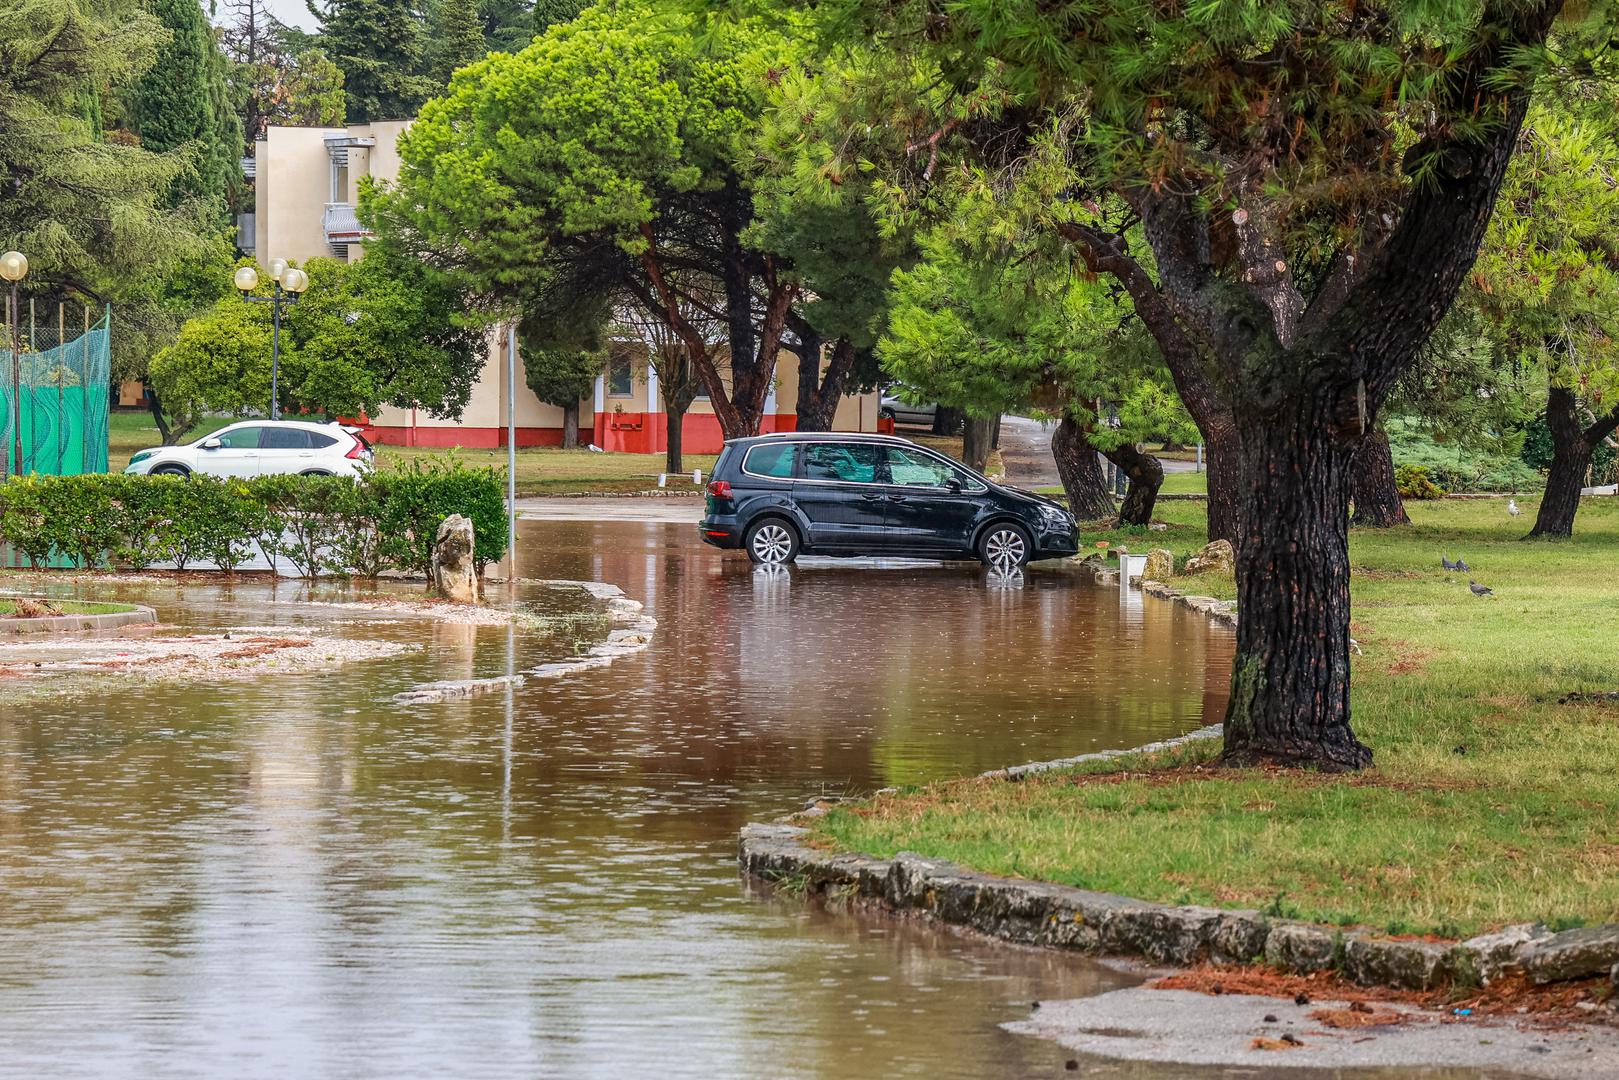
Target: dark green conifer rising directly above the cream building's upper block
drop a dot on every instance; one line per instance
(380, 48)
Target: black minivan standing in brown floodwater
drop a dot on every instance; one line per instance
(851, 495)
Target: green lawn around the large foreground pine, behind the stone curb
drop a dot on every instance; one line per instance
(1490, 804)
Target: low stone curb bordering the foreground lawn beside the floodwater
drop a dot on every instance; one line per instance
(1063, 917)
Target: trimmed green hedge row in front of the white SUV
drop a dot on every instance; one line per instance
(388, 521)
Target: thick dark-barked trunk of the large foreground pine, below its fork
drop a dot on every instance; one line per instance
(1290, 687)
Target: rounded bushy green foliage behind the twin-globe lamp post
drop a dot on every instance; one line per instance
(375, 333)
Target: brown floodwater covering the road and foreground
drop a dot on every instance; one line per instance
(295, 877)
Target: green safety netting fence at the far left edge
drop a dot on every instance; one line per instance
(67, 396)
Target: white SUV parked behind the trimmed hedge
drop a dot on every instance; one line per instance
(263, 448)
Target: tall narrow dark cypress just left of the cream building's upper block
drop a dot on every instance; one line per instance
(182, 101)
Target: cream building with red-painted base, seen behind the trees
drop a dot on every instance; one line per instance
(307, 189)
